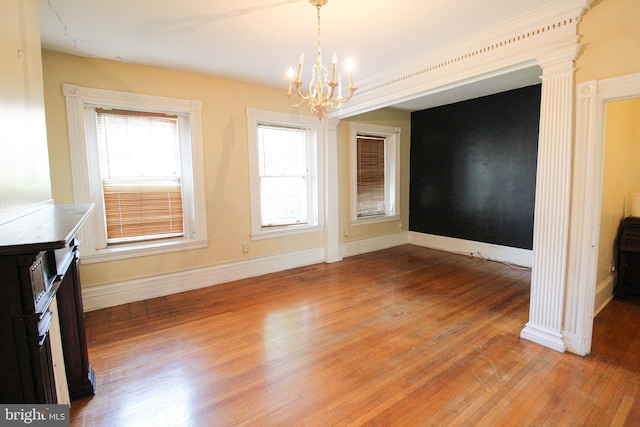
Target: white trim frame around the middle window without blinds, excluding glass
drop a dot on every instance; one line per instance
(315, 175)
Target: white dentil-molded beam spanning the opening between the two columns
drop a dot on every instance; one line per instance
(512, 45)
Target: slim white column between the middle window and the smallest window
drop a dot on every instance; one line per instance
(331, 217)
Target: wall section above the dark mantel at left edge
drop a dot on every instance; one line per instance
(24, 166)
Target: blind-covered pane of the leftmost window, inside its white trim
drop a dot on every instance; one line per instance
(139, 156)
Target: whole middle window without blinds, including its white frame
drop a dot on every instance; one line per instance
(284, 174)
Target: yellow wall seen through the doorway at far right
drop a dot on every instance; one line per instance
(620, 177)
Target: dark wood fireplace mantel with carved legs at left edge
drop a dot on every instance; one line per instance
(39, 262)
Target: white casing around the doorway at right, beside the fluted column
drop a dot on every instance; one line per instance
(588, 178)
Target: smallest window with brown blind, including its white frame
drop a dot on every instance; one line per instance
(374, 173)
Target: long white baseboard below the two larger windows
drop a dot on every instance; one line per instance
(97, 297)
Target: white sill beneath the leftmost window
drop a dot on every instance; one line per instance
(142, 249)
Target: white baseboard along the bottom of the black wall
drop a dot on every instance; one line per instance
(517, 256)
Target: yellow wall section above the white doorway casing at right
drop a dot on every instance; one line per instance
(610, 33)
